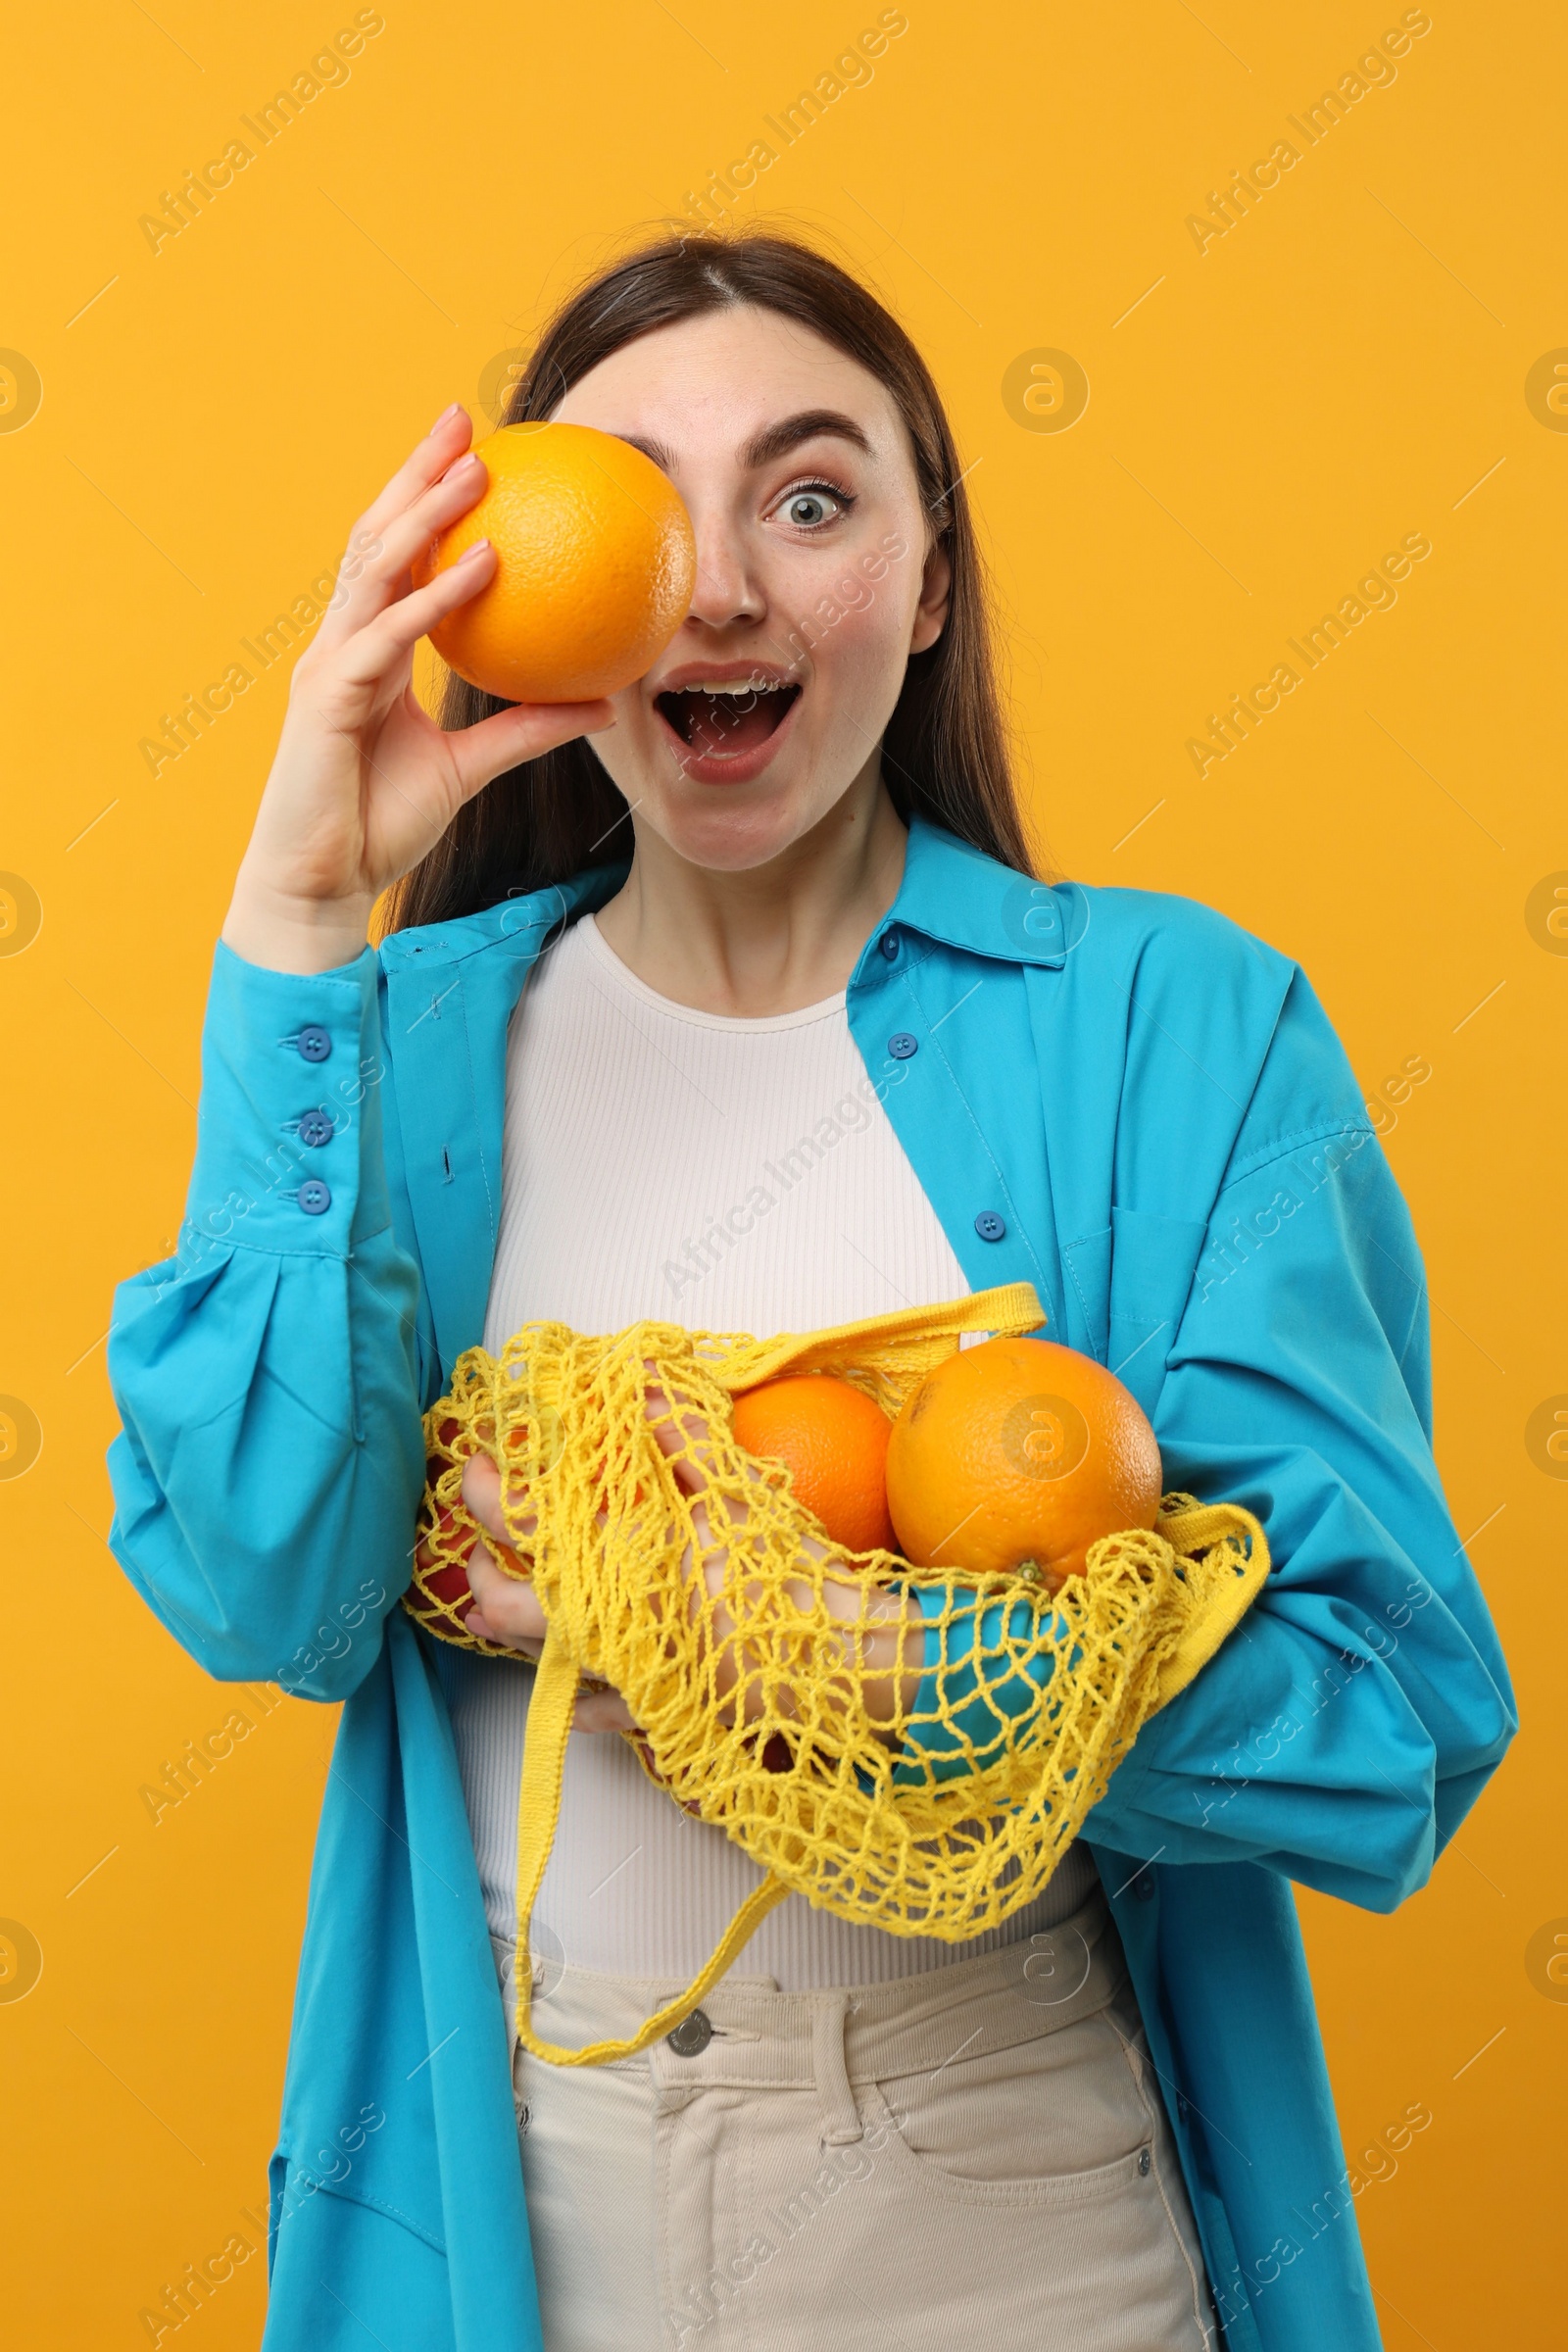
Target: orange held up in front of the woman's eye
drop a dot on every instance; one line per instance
(594, 568)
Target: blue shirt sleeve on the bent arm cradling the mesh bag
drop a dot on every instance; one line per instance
(1348, 1725)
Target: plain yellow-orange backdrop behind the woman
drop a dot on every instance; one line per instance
(1266, 417)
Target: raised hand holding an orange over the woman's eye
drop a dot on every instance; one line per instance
(366, 782)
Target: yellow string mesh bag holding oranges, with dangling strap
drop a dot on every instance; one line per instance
(751, 1697)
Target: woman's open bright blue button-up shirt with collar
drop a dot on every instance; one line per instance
(1118, 1097)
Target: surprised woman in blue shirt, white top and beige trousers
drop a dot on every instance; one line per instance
(735, 1003)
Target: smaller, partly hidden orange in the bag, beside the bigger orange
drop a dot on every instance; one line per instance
(833, 1441)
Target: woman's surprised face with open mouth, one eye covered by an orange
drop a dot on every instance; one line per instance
(815, 580)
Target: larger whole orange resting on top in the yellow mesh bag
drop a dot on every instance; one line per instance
(1019, 1455)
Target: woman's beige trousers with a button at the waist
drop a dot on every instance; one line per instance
(977, 2151)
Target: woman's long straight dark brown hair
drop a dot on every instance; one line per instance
(944, 751)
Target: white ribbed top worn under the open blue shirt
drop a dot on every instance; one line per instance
(730, 1177)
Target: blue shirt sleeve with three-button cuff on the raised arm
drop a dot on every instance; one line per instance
(269, 1375)
